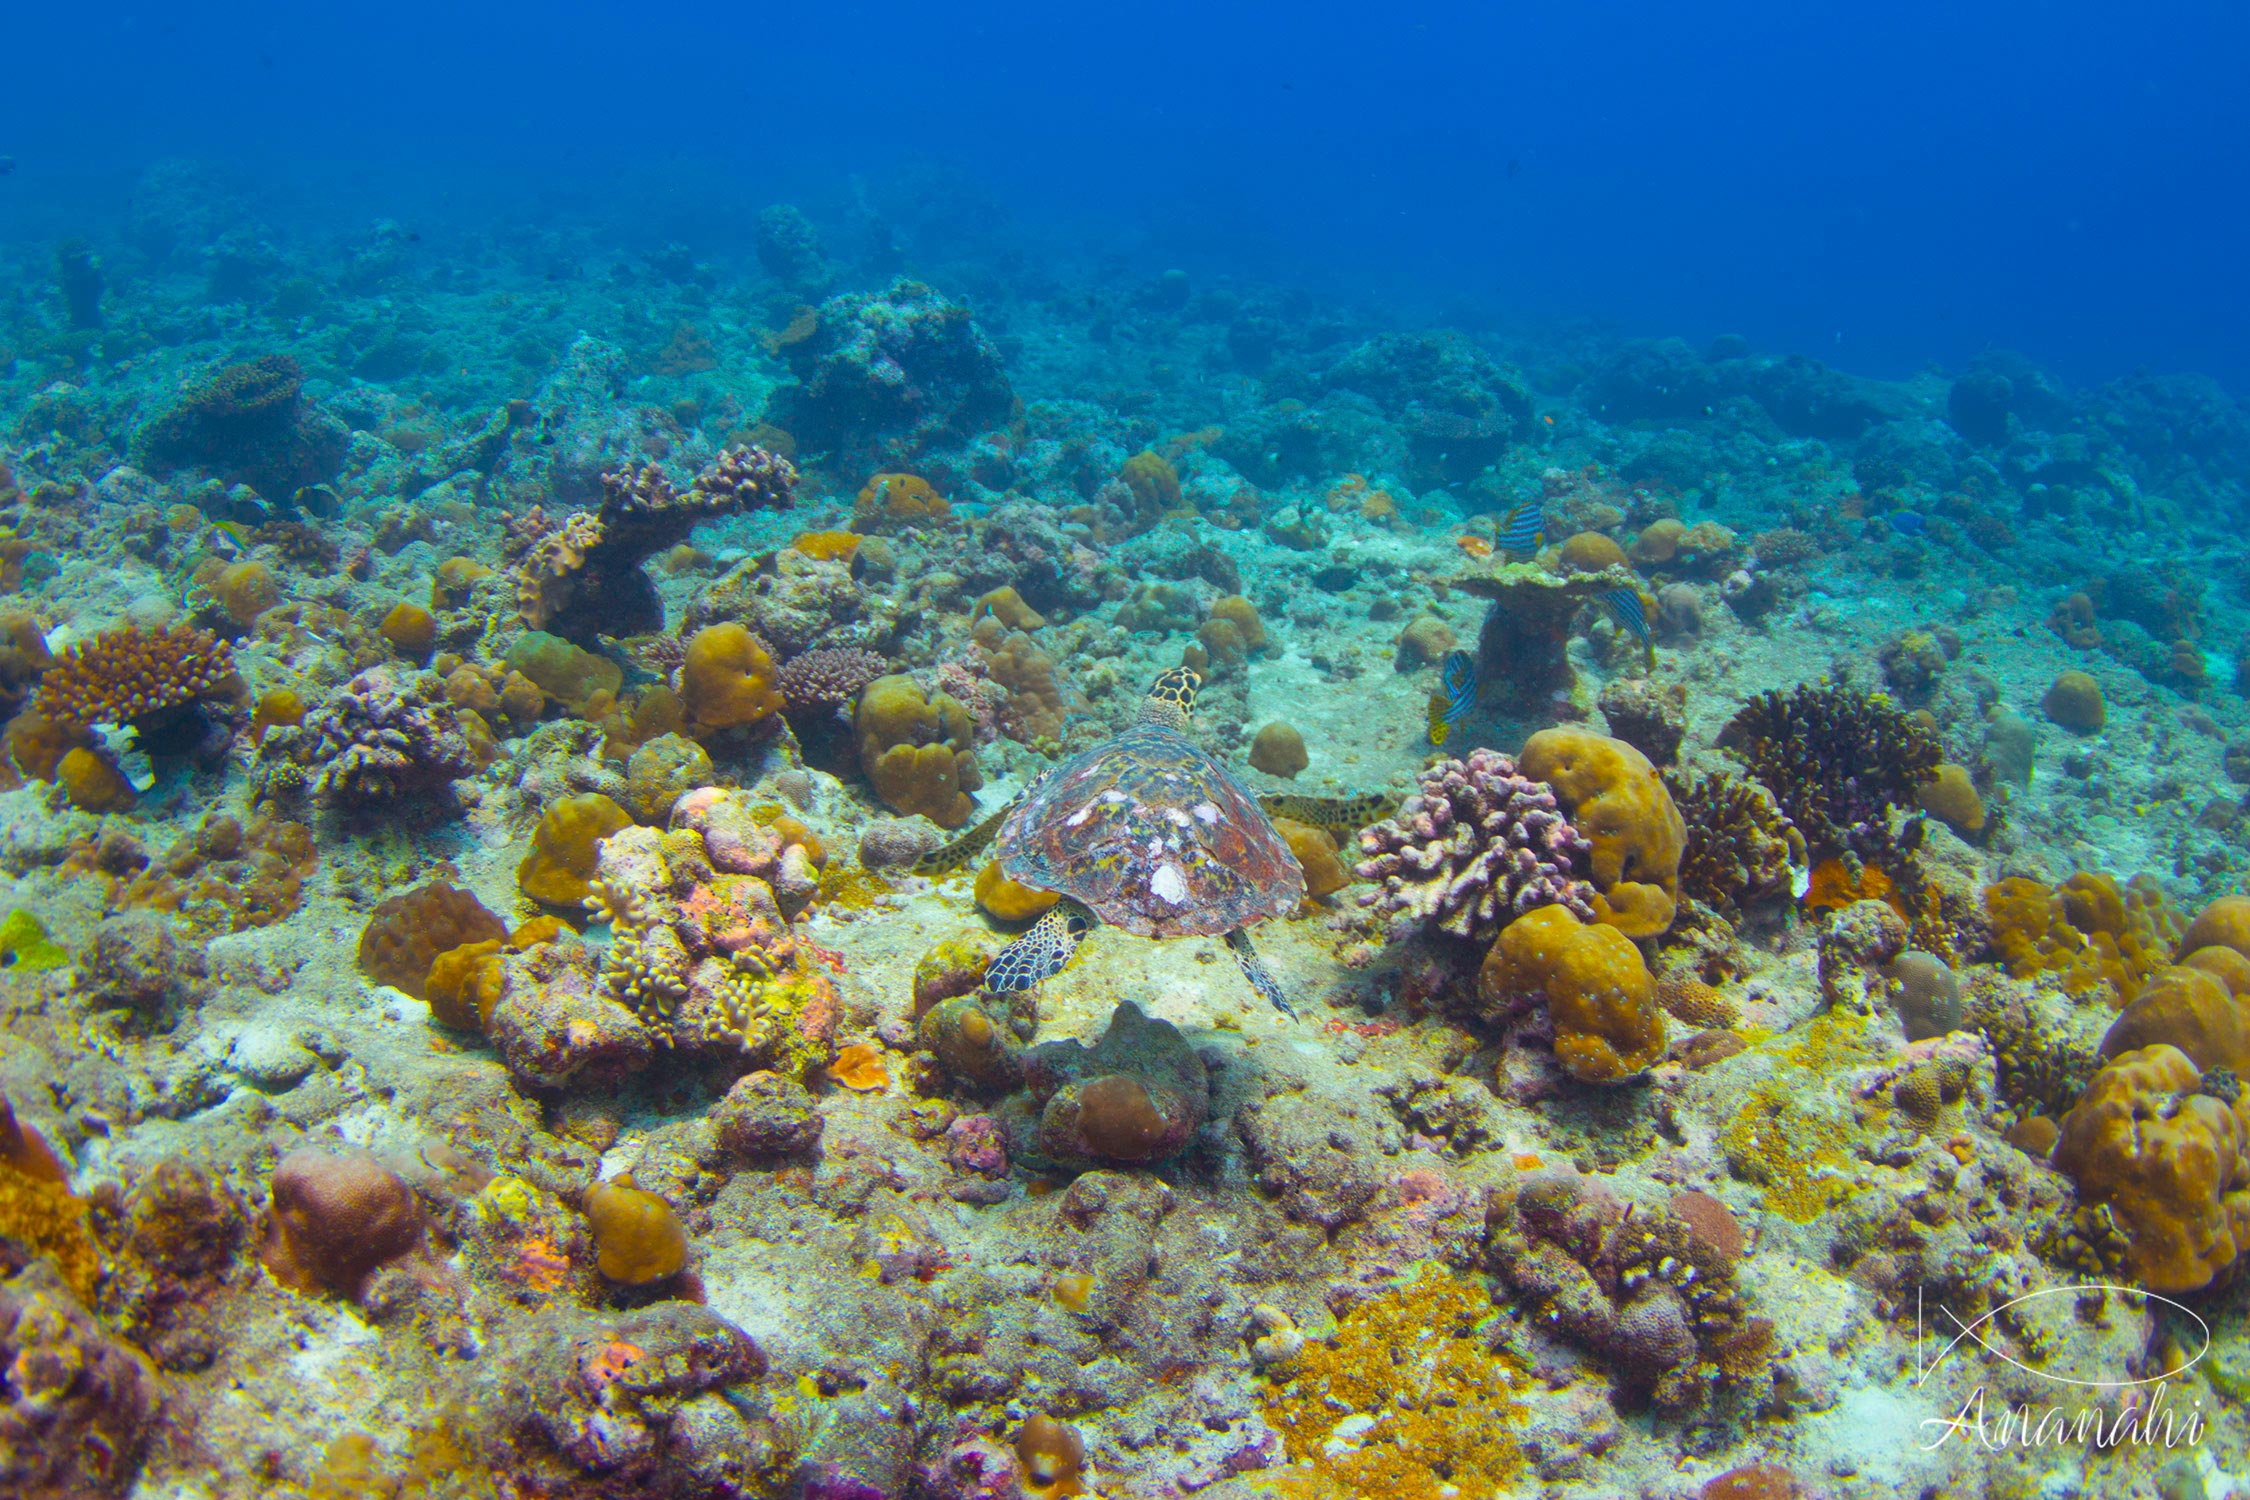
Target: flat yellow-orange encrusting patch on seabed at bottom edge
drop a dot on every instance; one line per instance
(1405, 1400)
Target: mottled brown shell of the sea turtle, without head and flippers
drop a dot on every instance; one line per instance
(1144, 820)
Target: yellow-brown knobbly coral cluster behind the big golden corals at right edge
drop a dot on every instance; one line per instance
(2087, 934)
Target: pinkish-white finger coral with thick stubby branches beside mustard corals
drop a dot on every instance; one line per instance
(1473, 849)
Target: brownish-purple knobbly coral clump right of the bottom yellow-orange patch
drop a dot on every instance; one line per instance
(1650, 1292)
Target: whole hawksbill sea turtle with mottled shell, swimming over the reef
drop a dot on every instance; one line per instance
(1146, 833)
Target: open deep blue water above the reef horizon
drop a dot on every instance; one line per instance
(1880, 188)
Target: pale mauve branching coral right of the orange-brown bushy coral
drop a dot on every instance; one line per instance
(377, 743)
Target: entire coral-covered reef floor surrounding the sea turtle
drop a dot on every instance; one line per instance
(503, 894)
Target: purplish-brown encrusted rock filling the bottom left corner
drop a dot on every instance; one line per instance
(75, 1402)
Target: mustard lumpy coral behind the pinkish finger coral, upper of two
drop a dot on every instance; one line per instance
(1626, 813)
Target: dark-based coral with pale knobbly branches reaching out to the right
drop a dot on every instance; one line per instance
(584, 577)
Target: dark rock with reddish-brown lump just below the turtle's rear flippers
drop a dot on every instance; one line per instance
(1135, 1096)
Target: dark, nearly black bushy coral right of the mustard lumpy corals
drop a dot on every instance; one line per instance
(1839, 761)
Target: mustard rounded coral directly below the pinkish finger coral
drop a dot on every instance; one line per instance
(1601, 997)
